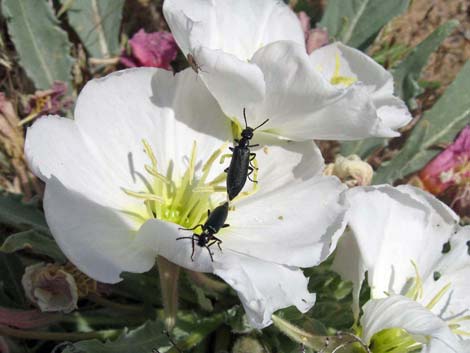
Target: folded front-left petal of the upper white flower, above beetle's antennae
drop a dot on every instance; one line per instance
(235, 83)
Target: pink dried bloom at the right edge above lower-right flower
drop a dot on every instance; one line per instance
(449, 168)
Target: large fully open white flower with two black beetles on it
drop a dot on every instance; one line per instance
(142, 159)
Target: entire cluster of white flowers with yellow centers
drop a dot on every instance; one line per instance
(142, 157)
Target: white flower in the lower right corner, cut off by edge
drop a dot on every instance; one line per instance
(417, 261)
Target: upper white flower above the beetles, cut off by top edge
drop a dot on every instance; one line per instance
(251, 54)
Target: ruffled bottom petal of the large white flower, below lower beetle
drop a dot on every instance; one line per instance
(264, 287)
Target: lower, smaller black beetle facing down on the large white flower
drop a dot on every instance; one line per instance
(215, 221)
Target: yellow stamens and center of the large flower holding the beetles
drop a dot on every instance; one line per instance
(184, 201)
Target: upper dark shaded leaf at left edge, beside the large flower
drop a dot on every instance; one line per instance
(18, 214)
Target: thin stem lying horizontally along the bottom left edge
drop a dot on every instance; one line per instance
(57, 336)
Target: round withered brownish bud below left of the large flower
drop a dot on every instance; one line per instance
(50, 288)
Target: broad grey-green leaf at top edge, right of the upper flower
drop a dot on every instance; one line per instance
(357, 22)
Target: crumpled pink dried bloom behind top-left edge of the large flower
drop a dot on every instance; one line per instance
(156, 49)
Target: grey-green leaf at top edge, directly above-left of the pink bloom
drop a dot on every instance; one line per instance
(97, 23)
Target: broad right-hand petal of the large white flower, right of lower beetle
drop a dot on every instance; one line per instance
(305, 217)
